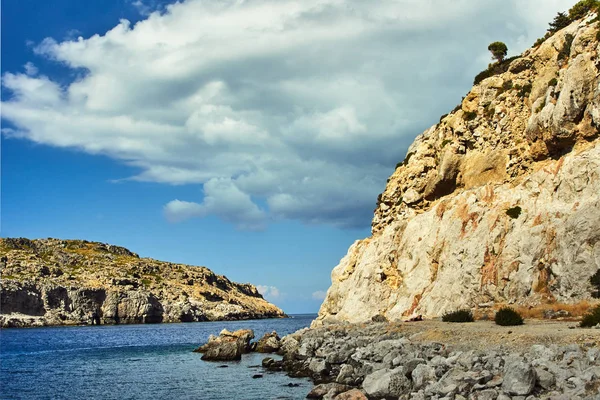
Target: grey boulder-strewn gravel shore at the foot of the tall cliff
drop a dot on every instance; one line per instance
(436, 360)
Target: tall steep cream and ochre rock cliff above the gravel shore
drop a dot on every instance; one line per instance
(498, 203)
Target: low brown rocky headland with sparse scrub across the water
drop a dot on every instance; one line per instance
(63, 282)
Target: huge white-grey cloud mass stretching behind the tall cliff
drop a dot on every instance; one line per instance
(302, 107)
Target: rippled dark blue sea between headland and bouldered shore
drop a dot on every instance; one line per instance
(138, 362)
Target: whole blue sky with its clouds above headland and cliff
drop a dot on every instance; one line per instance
(248, 136)
